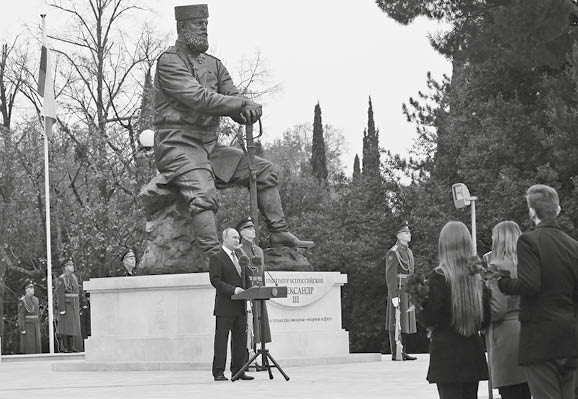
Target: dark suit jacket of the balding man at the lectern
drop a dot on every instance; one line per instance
(225, 278)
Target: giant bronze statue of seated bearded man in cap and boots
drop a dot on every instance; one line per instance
(192, 90)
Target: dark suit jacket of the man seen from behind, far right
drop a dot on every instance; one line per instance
(548, 287)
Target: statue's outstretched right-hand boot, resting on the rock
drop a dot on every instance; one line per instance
(269, 202)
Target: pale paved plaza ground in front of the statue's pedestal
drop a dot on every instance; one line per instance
(385, 379)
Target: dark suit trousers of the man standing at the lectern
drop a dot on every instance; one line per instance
(237, 325)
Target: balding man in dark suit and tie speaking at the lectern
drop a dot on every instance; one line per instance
(229, 278)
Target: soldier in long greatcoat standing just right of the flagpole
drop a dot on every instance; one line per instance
(67, 294)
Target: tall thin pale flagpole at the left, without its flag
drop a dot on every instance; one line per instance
(47, 132)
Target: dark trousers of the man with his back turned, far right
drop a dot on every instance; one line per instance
(552, 379)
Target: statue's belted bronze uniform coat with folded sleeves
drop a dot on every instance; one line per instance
(191, 91)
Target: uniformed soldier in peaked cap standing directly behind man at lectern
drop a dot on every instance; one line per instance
(256, 271)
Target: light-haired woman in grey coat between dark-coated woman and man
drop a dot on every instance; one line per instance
(504, 330)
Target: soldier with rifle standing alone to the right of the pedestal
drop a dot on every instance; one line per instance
(399, 265)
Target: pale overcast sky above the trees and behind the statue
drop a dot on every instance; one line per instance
(336, 52)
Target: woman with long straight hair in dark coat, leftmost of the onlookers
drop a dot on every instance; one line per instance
(456, 309)
